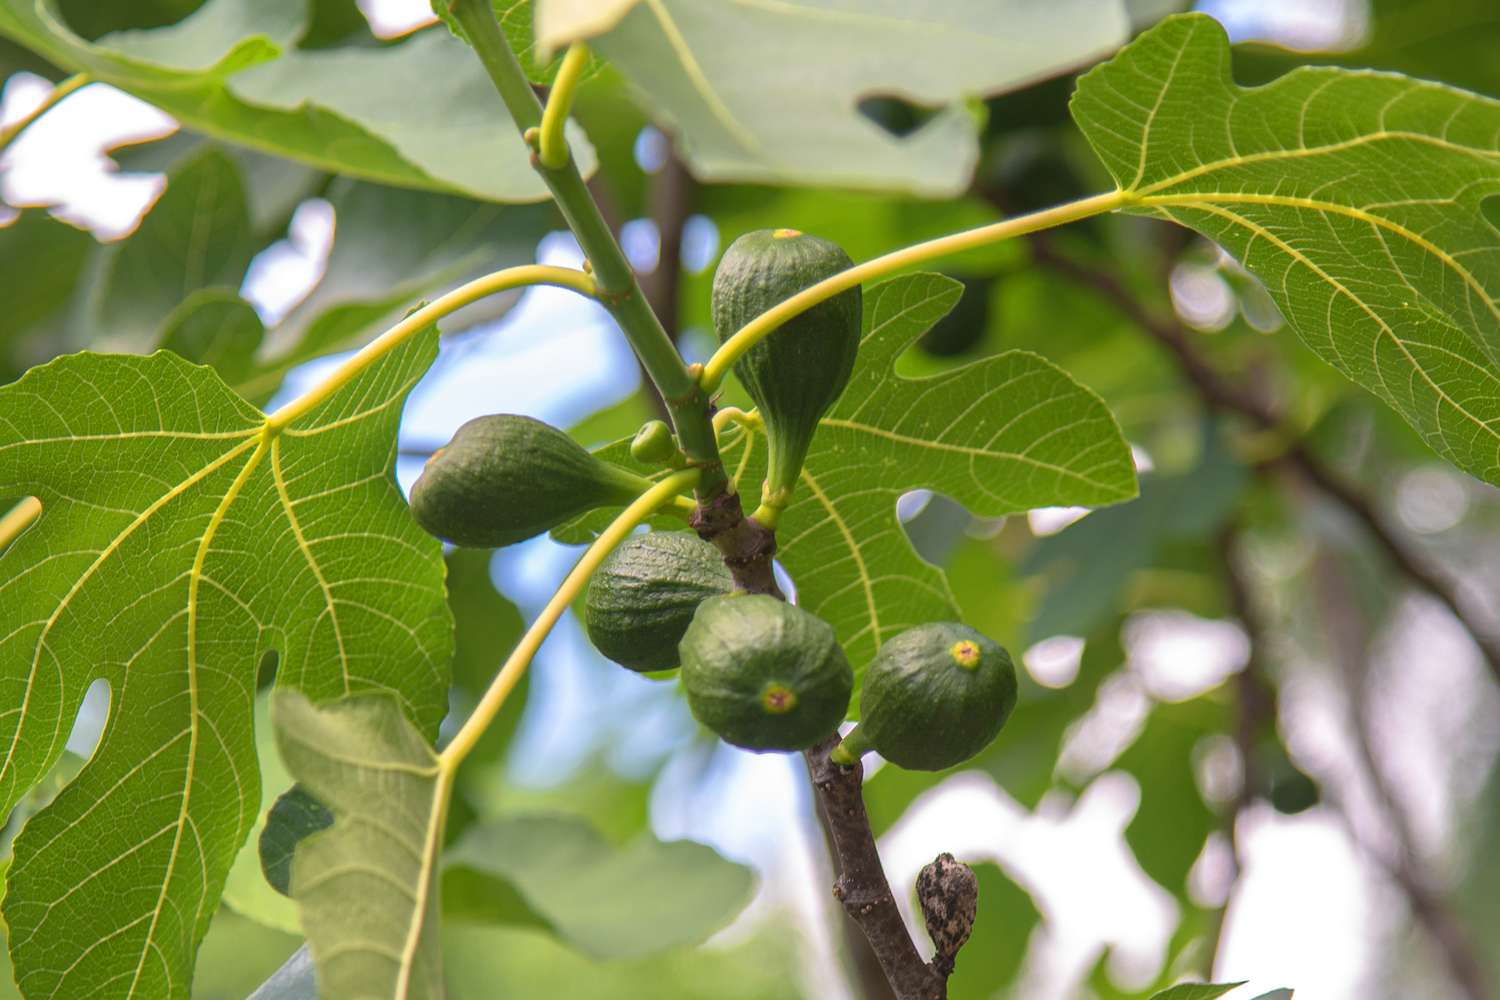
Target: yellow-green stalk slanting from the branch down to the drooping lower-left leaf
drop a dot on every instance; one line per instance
(511, 674)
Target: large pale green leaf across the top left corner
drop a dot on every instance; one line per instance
(419, 115)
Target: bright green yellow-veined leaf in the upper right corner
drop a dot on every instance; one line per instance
(1355, 197)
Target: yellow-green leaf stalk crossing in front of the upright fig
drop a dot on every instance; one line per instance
(758, 329)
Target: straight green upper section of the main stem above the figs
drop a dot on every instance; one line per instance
(619, 289)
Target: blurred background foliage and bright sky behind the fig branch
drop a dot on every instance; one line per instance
(1259, 716)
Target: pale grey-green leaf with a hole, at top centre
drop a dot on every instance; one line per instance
(772, 91)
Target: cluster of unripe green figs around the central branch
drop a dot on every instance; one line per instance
(761, 674)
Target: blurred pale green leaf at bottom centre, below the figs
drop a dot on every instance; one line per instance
(641, 899)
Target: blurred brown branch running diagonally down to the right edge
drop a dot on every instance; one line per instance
(1223, 397)
